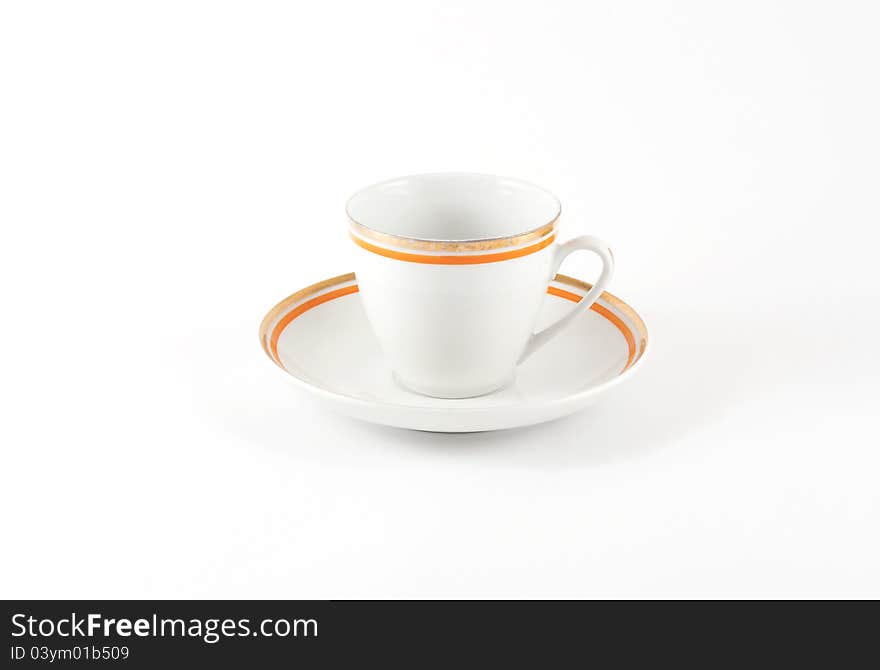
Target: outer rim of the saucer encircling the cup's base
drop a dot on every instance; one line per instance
(452, 405)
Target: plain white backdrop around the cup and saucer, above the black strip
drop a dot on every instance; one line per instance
(170, 170)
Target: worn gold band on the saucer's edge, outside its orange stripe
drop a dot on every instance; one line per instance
(282, 309)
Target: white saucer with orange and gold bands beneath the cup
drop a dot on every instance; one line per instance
(320, 336)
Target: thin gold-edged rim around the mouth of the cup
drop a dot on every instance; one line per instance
(513, 239)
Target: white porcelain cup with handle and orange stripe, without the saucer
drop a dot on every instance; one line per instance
(453, 268)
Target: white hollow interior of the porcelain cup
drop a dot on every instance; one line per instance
(453, 207)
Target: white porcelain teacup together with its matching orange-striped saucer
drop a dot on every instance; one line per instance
(455, 319)
